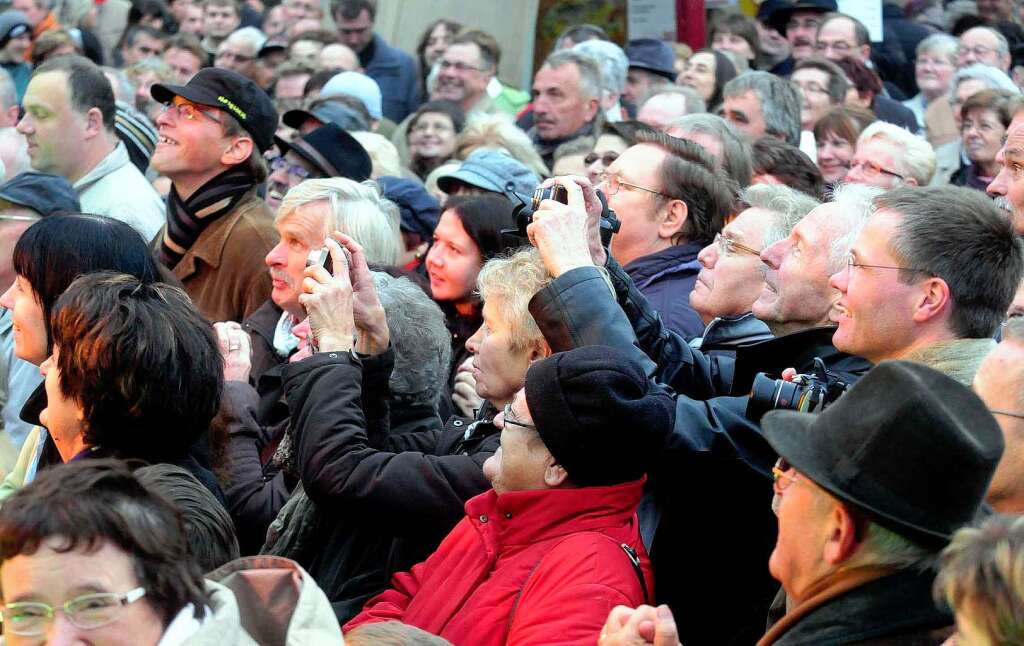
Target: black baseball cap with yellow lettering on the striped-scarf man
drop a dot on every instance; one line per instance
(231, 93)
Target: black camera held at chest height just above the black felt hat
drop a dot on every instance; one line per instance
(806, 394)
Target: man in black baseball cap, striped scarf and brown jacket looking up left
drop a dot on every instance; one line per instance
(214, 135)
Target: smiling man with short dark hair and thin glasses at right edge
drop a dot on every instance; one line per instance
(929, 279)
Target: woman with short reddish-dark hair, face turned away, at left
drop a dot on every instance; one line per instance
(125, 356)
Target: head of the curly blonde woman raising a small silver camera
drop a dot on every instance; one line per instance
(509, 283)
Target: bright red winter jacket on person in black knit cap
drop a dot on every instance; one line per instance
(526, 568)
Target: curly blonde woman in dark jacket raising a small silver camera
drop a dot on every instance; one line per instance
(401, 494)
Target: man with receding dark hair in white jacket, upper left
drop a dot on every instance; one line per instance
(69, 123)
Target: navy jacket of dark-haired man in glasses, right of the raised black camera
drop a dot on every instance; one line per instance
(666, 279)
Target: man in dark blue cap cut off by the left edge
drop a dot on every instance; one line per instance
(24, 201)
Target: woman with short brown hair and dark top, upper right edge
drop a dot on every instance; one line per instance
(985, 119)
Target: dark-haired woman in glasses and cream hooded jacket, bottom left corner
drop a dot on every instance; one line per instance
(92, 556)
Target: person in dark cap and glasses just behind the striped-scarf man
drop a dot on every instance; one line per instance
(327, 152)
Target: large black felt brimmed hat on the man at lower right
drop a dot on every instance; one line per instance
(913, 449)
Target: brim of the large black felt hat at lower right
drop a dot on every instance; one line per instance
(796, 438)
